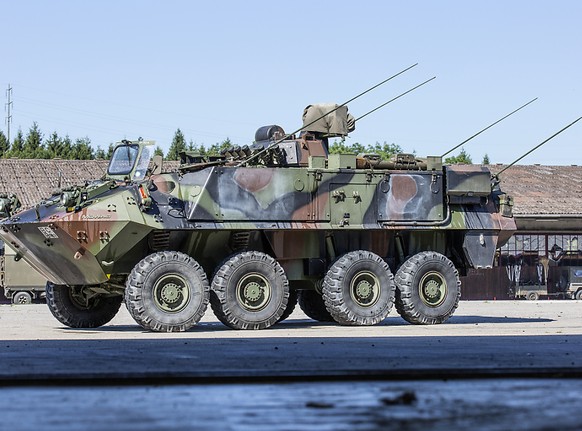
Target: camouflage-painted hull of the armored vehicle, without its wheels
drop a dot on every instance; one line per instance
(305, 214)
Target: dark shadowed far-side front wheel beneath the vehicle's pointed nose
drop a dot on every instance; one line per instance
(73, 314)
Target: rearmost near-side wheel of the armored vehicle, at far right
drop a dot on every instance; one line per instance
(428, 289)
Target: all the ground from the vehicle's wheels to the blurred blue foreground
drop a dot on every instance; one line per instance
(494, 366)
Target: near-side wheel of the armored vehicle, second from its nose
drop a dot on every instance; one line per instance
(250, 291)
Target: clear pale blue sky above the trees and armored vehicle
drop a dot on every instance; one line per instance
(110, 70)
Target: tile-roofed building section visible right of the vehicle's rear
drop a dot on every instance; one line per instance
(544, 257)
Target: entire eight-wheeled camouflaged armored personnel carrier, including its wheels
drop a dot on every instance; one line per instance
(260, 228)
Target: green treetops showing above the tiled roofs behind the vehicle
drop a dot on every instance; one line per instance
(34, 145)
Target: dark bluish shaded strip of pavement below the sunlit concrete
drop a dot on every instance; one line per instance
(191, 358)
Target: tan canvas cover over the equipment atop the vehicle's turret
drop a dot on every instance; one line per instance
(337, 123)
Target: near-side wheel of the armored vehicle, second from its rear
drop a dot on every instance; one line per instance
(358, 289)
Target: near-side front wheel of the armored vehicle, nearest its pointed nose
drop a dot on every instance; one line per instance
(167, 291)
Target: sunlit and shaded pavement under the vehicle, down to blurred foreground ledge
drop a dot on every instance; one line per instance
(505, 337)
